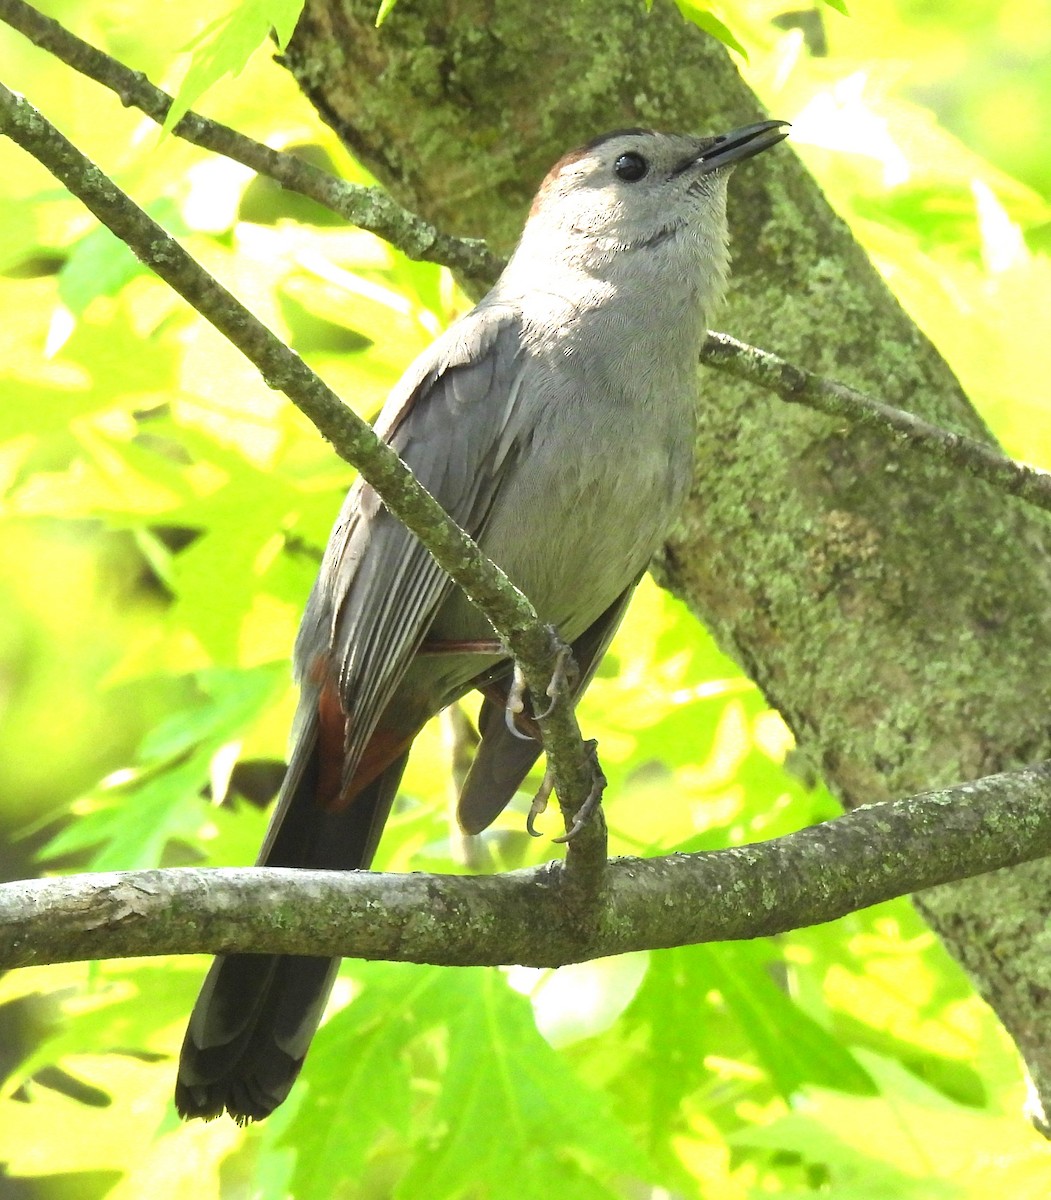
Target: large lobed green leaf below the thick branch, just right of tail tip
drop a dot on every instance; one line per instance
(511, 1118)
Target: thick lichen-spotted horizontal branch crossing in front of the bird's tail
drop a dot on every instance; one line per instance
(815, 875)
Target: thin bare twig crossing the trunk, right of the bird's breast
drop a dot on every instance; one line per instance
(800, 387)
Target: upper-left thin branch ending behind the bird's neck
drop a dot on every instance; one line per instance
(369, 208)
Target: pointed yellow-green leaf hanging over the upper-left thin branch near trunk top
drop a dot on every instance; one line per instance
(227, 45)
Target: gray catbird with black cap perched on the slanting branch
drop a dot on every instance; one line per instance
(555, 423)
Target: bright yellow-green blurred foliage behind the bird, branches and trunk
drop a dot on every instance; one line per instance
(161, 519)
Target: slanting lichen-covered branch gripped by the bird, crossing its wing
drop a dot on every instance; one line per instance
(533, 645)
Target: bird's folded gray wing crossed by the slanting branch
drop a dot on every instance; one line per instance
(452, 422)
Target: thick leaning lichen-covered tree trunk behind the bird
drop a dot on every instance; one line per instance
(896, 613)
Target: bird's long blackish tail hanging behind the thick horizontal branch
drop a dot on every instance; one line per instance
(256, 1015)
